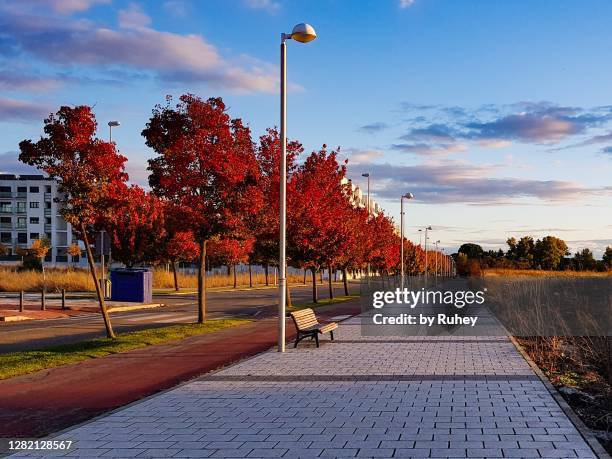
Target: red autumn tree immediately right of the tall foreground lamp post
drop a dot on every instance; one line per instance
(318, 226)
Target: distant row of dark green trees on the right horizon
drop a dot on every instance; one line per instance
(548, 253)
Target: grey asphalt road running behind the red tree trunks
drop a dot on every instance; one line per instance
(251, 303)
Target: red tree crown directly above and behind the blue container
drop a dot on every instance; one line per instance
(137, 227)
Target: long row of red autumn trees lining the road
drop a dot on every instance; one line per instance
(214, 194)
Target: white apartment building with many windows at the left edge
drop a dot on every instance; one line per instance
(28, 211)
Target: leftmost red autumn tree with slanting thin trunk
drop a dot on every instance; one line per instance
(90, 173)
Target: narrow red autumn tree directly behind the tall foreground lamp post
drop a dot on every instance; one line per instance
(267, 221)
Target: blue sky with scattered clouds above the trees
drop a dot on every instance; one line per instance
(497, 116)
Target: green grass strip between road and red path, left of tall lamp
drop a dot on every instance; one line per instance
(24, 362)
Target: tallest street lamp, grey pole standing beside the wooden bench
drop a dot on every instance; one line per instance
(302, 33)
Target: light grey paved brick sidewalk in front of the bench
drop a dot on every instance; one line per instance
(403, 397)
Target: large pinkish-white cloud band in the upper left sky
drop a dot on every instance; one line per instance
(169, 56)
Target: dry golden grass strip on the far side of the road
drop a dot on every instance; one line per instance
(79, 280)
